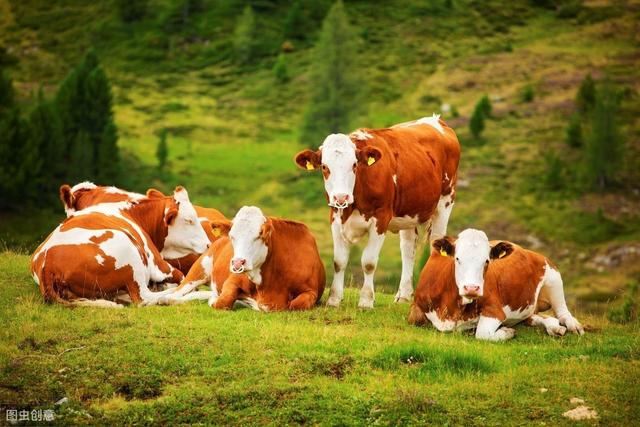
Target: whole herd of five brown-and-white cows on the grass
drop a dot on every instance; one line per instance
(119, 247)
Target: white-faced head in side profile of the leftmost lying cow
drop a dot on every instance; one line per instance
(185, 235)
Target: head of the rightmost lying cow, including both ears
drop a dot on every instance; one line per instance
(472, 254)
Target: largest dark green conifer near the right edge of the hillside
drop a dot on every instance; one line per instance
(604, 144)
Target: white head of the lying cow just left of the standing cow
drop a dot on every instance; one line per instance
(249, 234)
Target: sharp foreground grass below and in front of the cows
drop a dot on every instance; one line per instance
(190, 364)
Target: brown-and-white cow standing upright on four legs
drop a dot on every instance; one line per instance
(378, 180)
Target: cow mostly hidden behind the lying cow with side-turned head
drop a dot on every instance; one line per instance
(86, 194)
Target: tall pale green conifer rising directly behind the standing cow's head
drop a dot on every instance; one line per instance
(335, 90)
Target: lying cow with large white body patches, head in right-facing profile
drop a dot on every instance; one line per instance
(109, 248)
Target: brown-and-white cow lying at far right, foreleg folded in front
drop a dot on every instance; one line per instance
(472, 282)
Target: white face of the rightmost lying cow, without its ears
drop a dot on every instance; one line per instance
(471, 256)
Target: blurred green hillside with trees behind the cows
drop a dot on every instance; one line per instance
(219, 96)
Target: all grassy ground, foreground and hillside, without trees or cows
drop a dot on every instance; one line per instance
(233, 132)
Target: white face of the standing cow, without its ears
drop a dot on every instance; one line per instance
(339, 156)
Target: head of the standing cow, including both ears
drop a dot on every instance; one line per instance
(338, 158)
